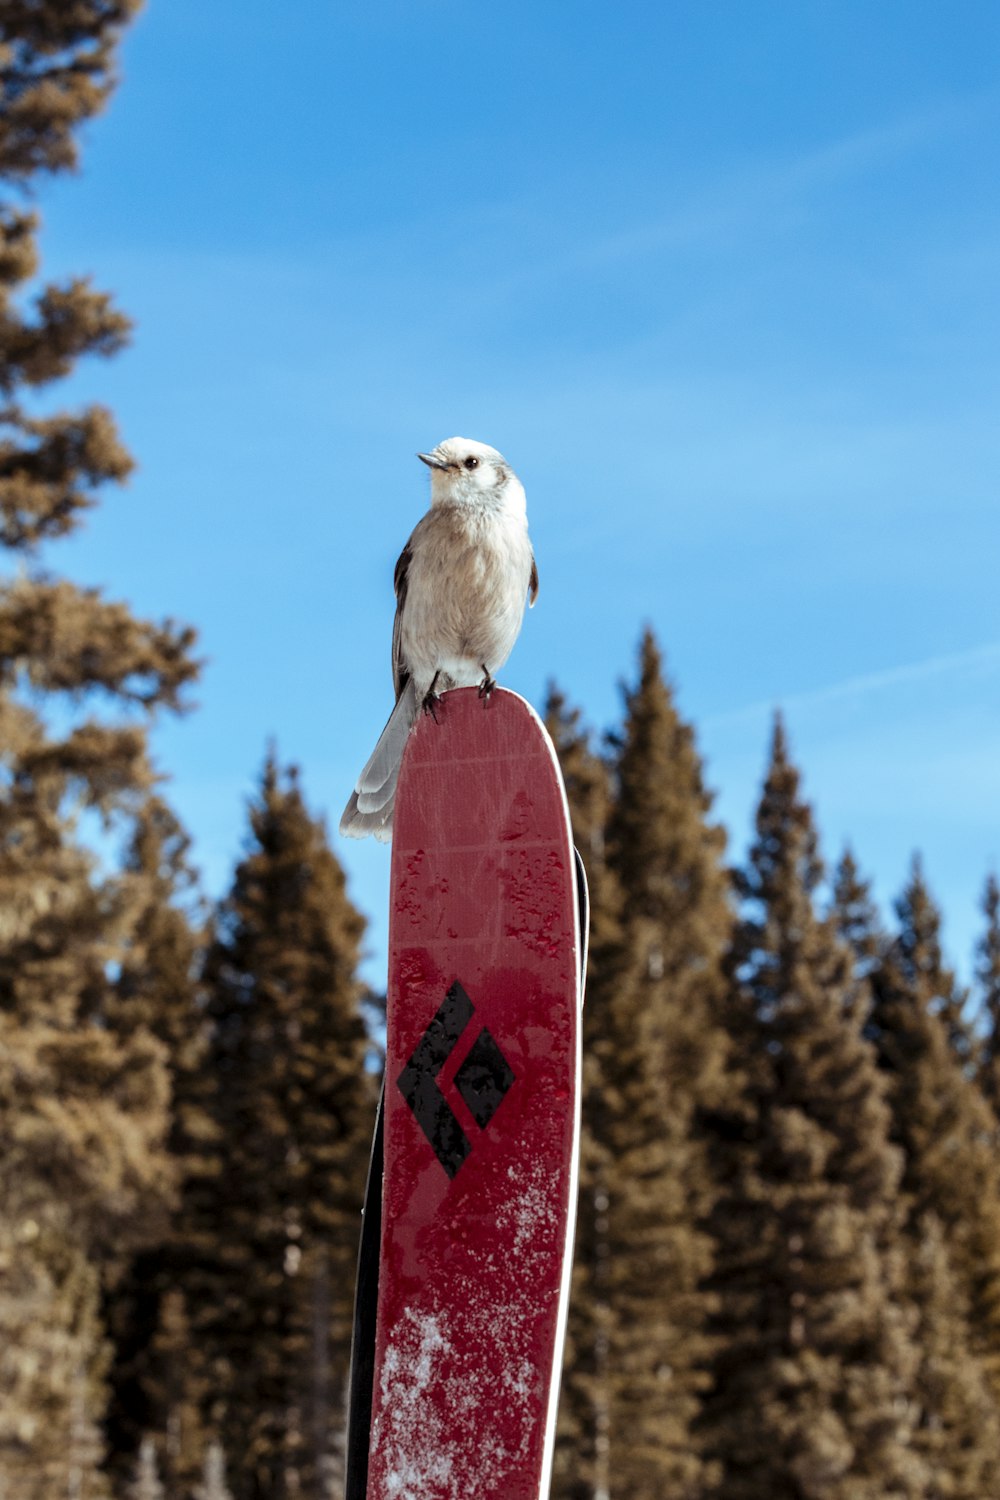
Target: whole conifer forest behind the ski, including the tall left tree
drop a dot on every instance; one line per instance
(788, 1265)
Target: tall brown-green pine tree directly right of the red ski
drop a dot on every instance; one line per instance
(653, 1060)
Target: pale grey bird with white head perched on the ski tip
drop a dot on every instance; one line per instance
(461, 584)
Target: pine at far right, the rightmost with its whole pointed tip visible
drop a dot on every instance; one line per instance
(941, 1118)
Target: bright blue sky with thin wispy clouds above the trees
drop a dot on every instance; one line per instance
(720, 280)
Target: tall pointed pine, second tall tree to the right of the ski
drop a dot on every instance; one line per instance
(815, 1361)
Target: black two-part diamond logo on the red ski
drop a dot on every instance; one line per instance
(482, 1081)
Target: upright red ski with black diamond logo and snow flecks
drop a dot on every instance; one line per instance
(482, 1114)
